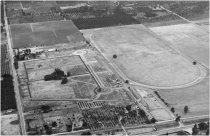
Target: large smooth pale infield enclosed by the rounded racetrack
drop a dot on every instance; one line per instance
(143, 57)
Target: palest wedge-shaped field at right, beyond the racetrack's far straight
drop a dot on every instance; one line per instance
(189, 39)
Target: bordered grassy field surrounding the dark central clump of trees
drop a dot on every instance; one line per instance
(80, 84)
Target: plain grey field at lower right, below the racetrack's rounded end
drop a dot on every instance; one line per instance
(196, 97)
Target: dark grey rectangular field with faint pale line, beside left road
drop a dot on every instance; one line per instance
(44, 33)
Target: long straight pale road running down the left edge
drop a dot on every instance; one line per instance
(17, 93)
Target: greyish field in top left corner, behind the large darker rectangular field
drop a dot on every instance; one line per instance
(32, 11)
